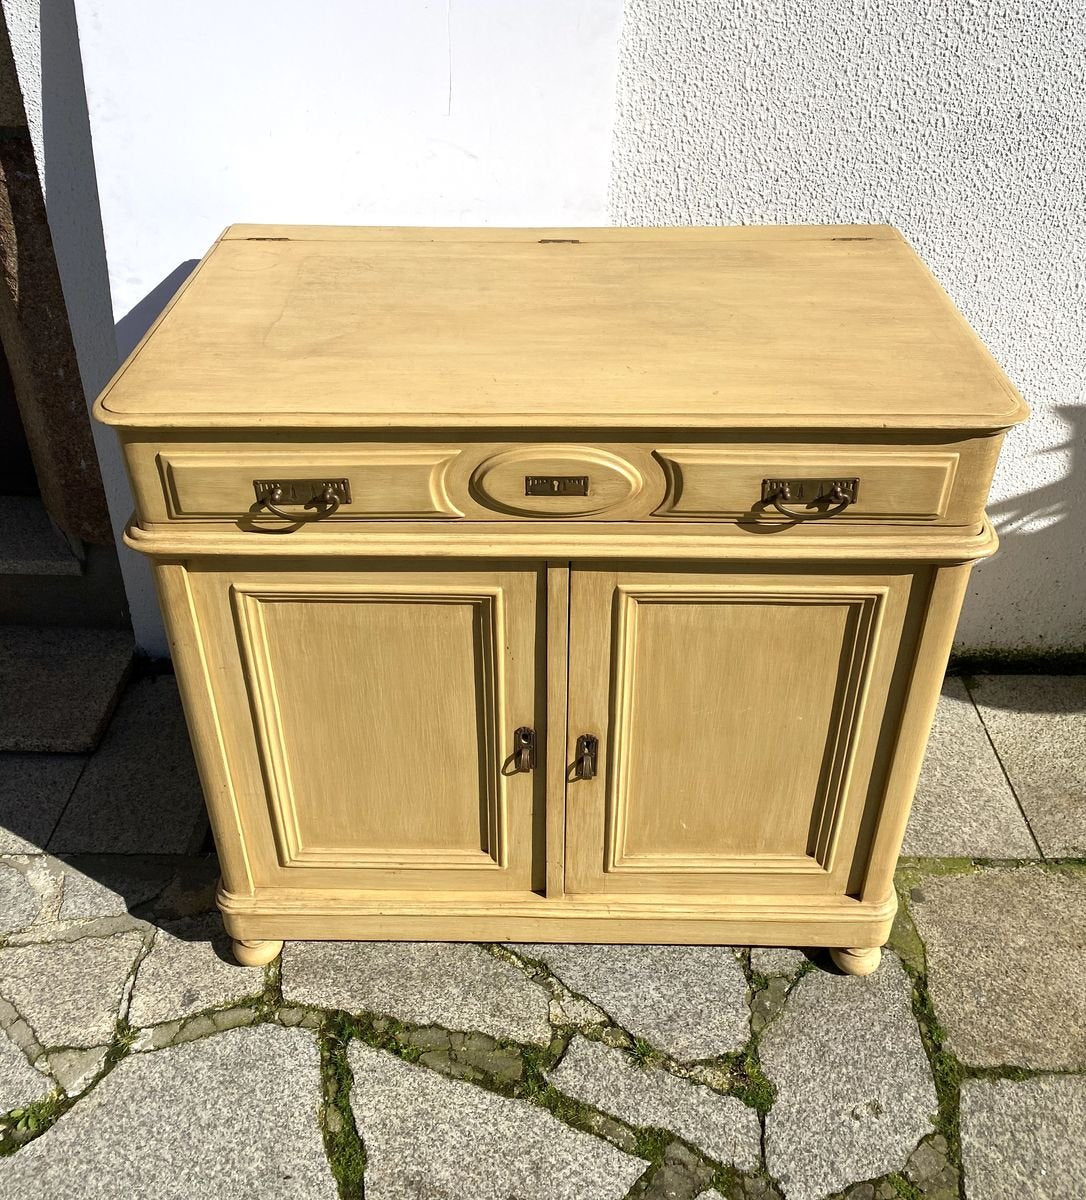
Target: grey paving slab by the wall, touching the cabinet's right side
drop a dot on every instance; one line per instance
(964, 806)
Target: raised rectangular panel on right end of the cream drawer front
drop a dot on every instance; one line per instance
(713, 483)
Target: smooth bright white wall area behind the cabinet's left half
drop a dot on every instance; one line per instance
(399, 112)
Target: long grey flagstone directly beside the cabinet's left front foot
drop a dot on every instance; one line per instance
(455, 986)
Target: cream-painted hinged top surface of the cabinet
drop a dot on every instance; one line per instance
(827, 327)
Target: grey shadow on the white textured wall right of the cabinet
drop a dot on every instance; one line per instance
(1041, 532)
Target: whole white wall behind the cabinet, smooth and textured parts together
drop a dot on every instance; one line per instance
(959, 122)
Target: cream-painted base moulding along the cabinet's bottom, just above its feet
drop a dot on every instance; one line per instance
(275, 915)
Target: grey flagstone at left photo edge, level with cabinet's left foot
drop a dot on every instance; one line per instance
(70, 993)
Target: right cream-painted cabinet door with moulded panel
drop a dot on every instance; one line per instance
(740, 725)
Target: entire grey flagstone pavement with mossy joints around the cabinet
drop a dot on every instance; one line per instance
(139, 1061)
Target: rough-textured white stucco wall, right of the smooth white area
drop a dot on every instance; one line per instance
(961, 122)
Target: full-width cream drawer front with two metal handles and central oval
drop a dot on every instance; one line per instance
(602, 481)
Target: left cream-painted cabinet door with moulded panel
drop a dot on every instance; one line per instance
(368, 723)
